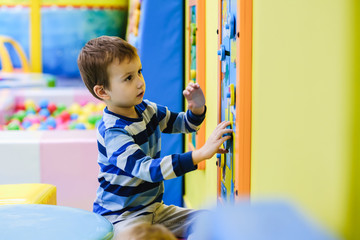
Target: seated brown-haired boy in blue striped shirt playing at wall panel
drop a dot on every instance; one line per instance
(131, 169)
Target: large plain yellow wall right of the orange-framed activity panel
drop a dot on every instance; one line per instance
(302, 120)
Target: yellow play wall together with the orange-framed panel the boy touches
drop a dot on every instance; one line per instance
(287, 84)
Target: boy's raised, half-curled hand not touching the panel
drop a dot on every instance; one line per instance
(195, 98)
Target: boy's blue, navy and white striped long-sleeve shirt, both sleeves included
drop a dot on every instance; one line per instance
(131, 169)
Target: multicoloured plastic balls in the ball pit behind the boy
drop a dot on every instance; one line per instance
(47, 115)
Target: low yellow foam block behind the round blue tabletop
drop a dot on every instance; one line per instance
(32, 193)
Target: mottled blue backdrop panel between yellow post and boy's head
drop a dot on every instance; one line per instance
(66, 30)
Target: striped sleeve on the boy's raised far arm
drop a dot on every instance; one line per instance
(183, 122)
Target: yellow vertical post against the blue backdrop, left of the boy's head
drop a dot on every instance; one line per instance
(35, 36)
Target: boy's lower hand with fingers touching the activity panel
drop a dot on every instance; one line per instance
(212, 145)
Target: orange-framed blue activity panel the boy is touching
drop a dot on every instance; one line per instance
(235, 17)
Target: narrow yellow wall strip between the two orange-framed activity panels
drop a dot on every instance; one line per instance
(200, 185)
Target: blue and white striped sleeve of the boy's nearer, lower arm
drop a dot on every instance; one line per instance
(123, 152)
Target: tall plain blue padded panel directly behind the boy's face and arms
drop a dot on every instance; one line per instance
(160, 47)
